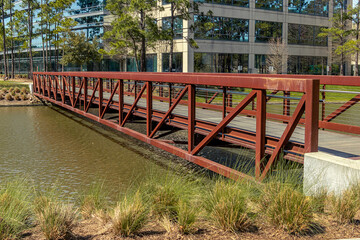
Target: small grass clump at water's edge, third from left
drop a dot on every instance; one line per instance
(93, 200)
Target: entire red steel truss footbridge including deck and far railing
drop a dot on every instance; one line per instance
(287, 115)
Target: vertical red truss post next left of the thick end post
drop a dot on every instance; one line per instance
(260, 130)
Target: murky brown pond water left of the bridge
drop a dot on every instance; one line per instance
(48, 147)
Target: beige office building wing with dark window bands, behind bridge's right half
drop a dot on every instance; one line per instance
(238, 41)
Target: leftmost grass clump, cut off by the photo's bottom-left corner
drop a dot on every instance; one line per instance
(15, 209)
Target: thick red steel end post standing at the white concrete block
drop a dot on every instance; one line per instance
(312, 115)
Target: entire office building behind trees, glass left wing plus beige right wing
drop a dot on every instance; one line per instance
(234, 38)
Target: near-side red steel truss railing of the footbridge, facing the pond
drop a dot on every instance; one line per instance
(187, 101)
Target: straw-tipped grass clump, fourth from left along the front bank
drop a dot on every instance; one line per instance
(129, 215)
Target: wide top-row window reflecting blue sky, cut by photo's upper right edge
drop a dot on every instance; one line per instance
(311, 7)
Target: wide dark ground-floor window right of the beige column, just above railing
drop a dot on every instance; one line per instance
(221, 62)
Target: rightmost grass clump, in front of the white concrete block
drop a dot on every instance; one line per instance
(345, 206)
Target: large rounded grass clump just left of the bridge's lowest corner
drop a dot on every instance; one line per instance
(227, 206)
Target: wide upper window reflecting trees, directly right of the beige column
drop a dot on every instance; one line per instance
(221, 28)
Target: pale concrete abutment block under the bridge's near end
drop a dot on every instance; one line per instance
(331, 173)
